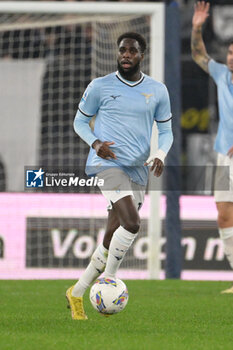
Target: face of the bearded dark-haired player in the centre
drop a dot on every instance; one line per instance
(129, 56)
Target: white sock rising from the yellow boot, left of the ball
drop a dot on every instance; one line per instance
(93, 270)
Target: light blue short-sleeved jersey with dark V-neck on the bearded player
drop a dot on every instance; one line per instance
(125, 112)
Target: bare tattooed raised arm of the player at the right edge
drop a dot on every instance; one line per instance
(199, 54)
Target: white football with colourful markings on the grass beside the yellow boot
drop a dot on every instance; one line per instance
(109, 296)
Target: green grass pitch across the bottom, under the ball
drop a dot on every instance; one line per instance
(163, 315)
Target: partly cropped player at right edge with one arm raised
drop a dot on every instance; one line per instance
(223, 77)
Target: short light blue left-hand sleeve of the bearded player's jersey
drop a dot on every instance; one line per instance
(90, 100)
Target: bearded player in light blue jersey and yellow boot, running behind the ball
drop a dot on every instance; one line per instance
(126, 104)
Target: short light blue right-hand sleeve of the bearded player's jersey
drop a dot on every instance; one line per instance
(163, 109)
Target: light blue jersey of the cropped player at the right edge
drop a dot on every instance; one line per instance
(222, 77)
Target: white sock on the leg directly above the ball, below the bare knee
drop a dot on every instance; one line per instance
(120, 243)
